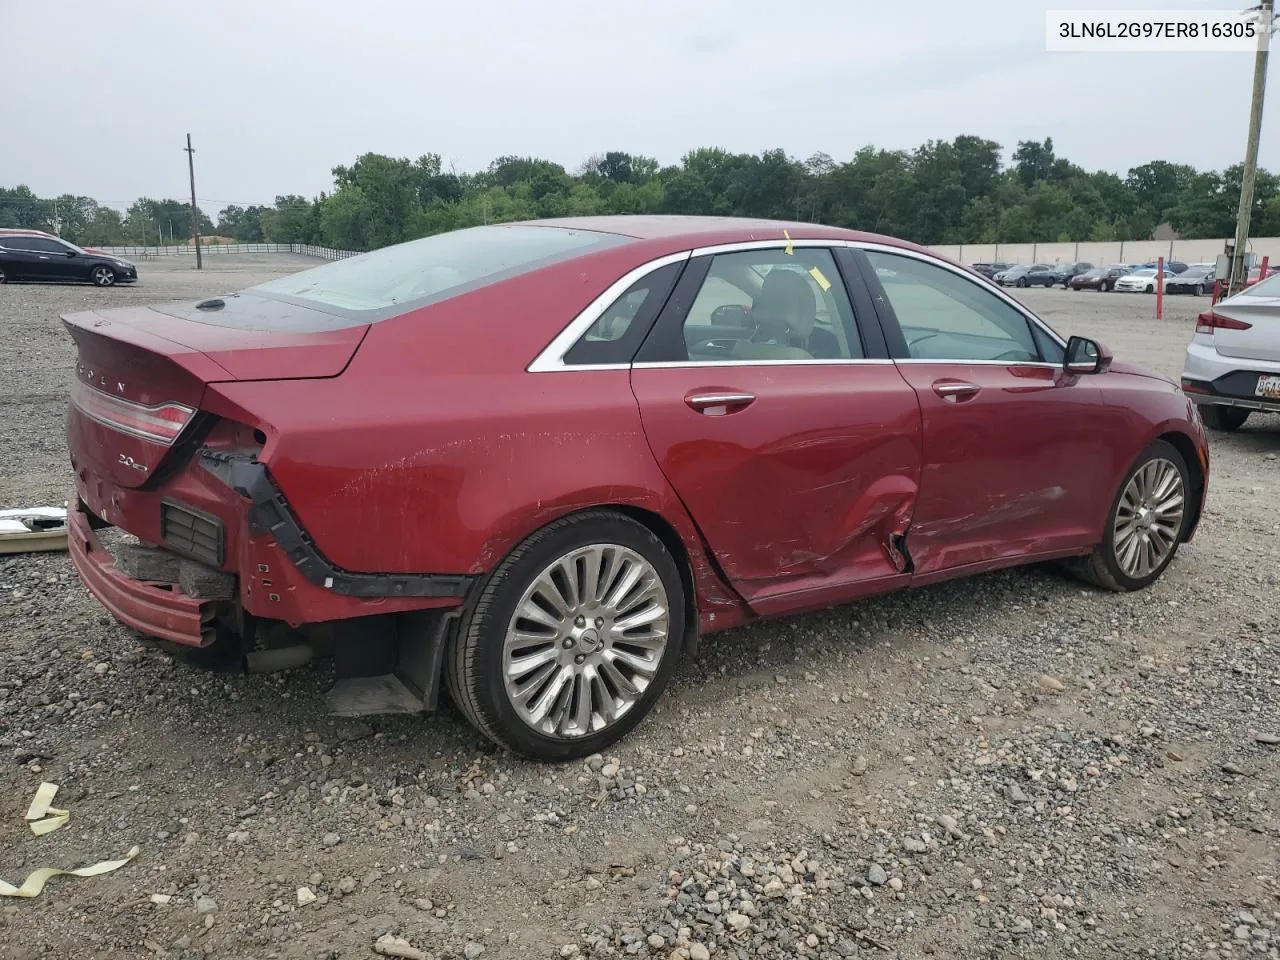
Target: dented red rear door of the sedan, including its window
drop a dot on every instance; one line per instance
(801, 472)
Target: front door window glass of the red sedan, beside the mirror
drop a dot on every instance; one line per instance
(947, 317)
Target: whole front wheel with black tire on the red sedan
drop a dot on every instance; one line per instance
(1145, 525)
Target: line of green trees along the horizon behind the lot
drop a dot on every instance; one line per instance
(941, 193)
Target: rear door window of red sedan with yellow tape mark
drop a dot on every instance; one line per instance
(772, 305)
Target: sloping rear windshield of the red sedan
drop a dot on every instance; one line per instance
(409, 276)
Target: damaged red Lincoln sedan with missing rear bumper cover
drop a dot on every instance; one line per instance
(541, 460)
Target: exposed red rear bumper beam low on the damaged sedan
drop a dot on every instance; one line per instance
(156, 610)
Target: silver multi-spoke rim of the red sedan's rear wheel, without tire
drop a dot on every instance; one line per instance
(586, 642)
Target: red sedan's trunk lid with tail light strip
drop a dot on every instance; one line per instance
(141, 372)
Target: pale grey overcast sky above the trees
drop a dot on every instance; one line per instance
(277, 93)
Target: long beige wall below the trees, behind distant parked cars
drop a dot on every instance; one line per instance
(1103, 254)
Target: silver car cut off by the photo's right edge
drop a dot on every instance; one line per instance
(1233, 362)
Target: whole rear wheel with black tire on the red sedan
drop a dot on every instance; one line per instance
(572, 639)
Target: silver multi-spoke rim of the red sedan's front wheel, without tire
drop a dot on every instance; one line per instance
(1149, 518)
